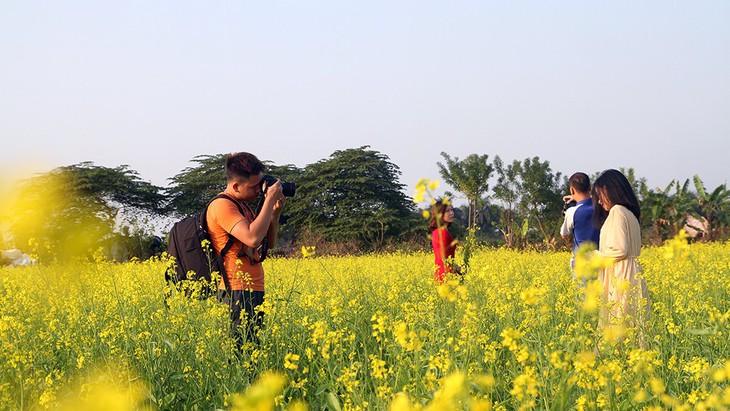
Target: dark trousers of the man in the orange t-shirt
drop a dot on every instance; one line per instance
(244, 303)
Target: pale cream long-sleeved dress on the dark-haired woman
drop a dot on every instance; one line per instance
(624, 290)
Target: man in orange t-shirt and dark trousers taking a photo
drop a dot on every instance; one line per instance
(244, 273)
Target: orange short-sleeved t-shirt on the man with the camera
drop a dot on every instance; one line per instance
(222, 216)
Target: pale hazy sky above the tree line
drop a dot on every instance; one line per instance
(154, 83)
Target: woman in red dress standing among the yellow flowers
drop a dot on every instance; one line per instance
(444, 246)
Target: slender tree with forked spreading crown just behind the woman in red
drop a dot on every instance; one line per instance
(470, 177)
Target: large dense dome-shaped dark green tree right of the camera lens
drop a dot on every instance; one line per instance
(353, 196)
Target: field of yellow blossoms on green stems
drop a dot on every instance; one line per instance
(370, 332)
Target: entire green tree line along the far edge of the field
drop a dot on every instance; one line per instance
(350, 202)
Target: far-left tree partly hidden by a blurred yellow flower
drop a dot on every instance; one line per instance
(72, 210)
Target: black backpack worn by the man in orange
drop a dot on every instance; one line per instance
(193, 262)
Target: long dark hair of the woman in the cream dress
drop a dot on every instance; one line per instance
(618, 191)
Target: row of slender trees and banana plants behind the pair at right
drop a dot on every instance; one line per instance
(524, 207)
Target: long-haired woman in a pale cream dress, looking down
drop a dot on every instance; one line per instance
(616, 213)
